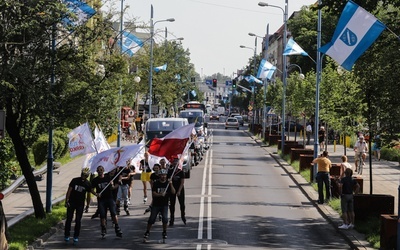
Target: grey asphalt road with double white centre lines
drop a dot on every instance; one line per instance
(238, 197)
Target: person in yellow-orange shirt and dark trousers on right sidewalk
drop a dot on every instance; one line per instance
(324, 166)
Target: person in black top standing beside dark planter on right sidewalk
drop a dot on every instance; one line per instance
(348, 186)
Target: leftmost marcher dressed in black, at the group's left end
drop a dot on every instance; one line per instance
(75, 203)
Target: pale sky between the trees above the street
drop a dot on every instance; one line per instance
(213, 30)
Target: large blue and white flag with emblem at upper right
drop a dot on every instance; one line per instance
(355, 33)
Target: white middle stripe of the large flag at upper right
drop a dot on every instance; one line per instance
(360, 23)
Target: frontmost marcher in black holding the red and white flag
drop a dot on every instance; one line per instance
(161, 192)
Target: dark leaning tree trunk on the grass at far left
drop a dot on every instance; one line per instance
(20, 151)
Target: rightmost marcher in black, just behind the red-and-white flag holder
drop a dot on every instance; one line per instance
(178, 180)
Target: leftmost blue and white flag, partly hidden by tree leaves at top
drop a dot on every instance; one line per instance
(81, 10)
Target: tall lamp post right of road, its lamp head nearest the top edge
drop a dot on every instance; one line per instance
(285, 13)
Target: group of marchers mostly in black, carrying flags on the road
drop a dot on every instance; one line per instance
(113, 191)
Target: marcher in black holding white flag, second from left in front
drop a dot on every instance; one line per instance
(104, 191)
